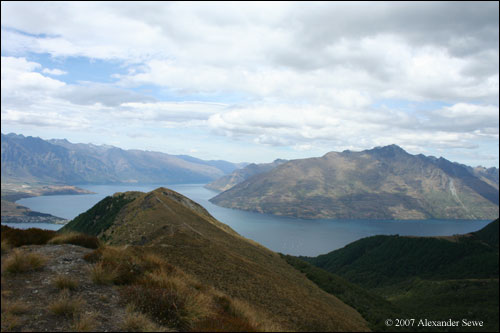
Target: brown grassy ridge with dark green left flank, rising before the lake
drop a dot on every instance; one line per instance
(185, 235)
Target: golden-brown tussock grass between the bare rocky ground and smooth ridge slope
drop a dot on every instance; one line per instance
(168, 297)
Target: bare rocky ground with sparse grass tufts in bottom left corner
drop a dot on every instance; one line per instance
(27, 297)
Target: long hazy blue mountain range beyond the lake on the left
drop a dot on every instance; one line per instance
(60, 161)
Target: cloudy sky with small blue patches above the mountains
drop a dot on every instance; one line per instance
(255, 81)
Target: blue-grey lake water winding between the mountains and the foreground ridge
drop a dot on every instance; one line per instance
(281, 234)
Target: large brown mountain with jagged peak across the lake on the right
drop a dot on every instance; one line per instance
(381, 183)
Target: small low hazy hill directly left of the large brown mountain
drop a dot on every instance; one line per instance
(237, 176)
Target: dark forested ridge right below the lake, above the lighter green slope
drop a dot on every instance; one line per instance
(384, 260)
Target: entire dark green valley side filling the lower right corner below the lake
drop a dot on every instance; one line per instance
(436, 278)
